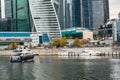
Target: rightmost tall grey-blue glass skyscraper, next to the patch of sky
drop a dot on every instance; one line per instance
(100, 13)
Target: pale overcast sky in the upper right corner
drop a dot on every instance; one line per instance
(114, 6)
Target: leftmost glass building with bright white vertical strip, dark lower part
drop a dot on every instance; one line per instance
(5, 15)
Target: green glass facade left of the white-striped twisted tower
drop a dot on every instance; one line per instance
(21, 16)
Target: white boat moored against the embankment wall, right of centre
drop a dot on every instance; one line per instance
(87, 52)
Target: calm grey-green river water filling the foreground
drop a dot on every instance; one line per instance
(62, 68)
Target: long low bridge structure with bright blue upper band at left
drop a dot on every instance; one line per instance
(8, 37)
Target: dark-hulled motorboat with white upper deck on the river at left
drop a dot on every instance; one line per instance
(24, 55)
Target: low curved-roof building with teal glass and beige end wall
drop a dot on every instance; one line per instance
(80, 33)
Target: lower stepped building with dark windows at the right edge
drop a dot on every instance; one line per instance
(110, 31)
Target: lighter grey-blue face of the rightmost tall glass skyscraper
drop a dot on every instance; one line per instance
(98, 13)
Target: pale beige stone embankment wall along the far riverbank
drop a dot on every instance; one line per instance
(54, 51)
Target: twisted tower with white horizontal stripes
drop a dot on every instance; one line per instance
(45, 18)
